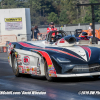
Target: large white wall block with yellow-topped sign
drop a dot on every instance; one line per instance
(15, 27)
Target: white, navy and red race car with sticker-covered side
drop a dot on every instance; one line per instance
(57, 56)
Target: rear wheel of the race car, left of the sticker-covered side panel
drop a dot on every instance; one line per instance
(15, 66)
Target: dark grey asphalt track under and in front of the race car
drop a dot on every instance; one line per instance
(60, 89)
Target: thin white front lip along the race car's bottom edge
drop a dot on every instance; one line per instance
(78, 75)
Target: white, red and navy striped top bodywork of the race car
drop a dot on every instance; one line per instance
(80, 52)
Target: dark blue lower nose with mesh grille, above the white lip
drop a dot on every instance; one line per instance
(80, 68)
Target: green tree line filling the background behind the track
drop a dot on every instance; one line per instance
(58, 11)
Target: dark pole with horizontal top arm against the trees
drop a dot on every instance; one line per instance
(94, 40)
